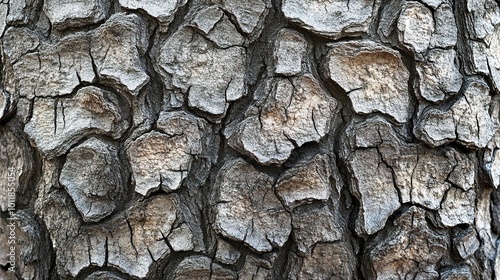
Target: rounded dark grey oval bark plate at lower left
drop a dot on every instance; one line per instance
(92, 176)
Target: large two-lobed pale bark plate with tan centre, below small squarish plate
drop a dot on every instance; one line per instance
(292, 112)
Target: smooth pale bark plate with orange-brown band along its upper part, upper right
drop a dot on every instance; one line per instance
(373, 76)
